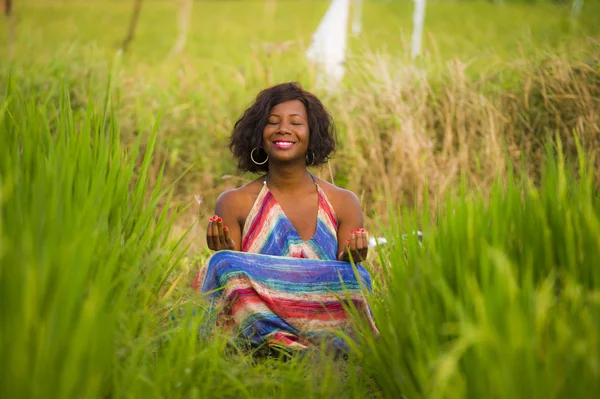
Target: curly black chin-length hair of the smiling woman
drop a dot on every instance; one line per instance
(248, 130)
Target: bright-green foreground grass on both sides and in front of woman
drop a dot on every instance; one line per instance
(502, 299)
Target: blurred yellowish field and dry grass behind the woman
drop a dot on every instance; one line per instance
(488, 84)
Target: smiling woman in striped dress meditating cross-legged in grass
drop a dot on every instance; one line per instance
(281, 273)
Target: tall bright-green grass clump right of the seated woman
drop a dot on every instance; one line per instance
(501, 300)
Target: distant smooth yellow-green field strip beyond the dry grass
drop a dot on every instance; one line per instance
(224, 33)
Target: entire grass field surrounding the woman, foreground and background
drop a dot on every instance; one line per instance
(487, 144)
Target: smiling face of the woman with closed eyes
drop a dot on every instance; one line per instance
(286, 134)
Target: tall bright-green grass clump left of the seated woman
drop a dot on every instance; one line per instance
(81, 248)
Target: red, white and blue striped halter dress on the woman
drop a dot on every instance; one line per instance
(281, 290)
